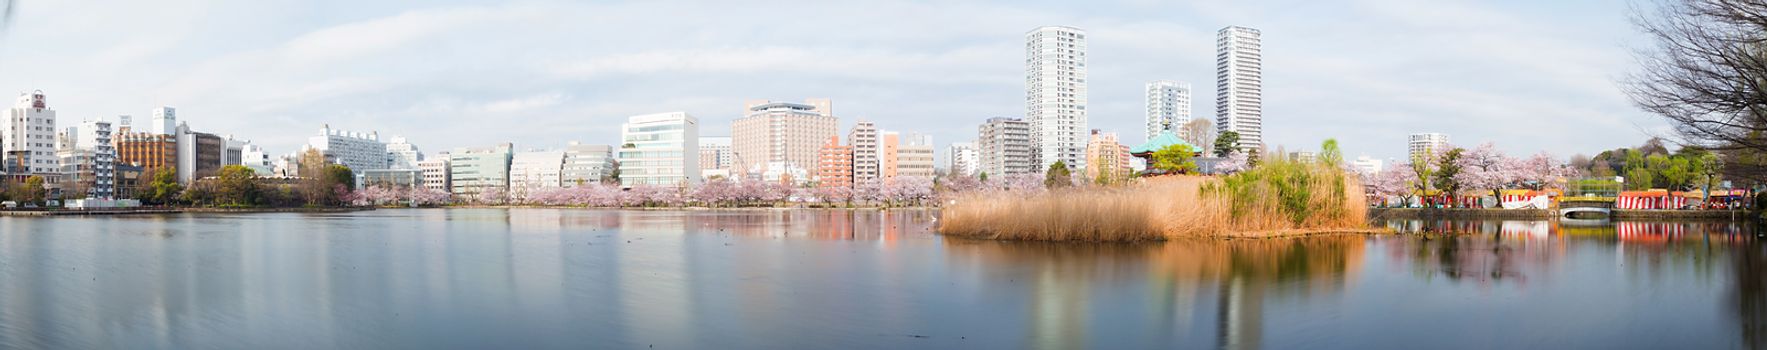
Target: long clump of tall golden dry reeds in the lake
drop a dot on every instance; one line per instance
(1280, 199)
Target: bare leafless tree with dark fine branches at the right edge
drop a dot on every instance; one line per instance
(1708, 73)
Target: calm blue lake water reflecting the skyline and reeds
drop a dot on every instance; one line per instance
(531, 278)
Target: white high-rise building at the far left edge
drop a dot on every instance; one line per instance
(29, 137)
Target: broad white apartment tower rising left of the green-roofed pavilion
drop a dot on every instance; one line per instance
(1056, 95)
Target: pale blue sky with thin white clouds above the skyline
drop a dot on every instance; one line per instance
(1528, 77)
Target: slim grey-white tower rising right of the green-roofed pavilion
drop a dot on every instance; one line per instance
(1240, 86)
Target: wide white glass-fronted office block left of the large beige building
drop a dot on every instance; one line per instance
(660, 149)
